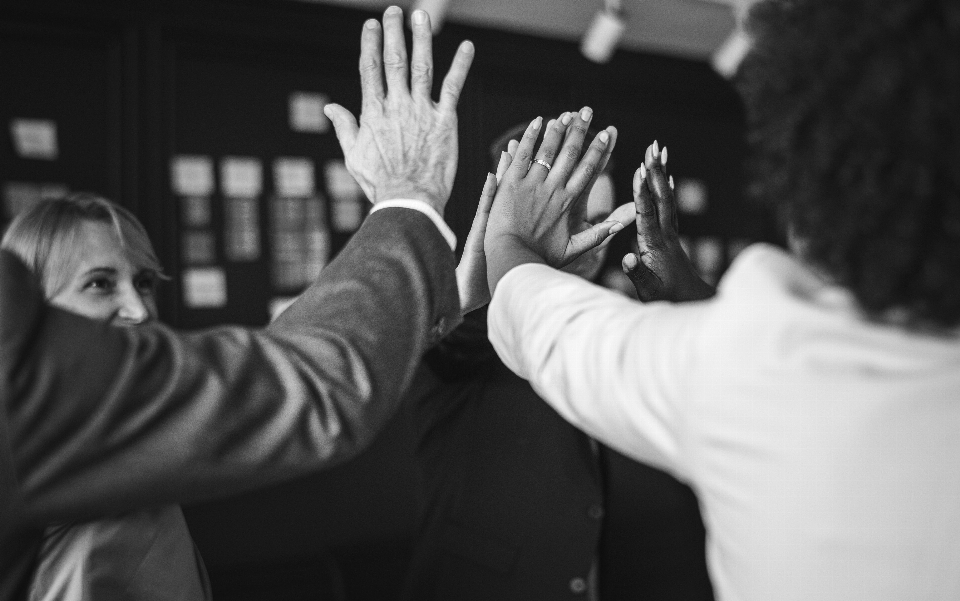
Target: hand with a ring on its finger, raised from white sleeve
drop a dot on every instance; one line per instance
(539, 210)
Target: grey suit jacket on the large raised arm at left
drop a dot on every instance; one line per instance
(101, 420)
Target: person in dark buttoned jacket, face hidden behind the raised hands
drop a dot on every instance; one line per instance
(516, 503)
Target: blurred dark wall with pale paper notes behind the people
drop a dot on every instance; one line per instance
(204, 117)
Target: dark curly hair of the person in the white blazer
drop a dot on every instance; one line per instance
(853, 111)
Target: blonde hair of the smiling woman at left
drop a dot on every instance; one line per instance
(45, 235)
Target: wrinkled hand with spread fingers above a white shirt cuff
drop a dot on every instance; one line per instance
(406, 144)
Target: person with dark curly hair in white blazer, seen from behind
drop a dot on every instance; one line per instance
(813, 401)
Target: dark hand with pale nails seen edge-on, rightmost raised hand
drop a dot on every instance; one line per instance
(661, 270)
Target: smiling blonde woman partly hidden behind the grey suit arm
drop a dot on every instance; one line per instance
(94, 258)
